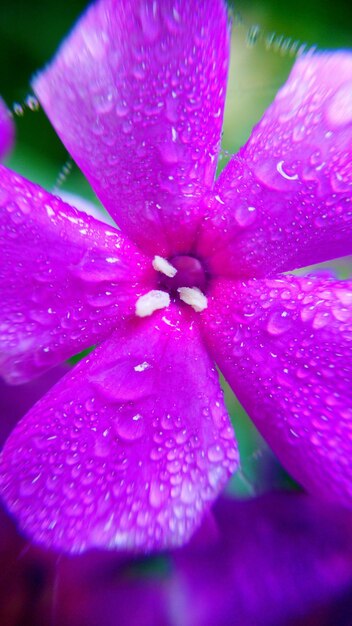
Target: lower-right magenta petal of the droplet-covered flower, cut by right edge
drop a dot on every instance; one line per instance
(285, 347)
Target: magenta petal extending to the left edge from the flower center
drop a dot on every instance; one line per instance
(66, 279)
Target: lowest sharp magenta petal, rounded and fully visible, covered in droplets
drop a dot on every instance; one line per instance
(127, 451)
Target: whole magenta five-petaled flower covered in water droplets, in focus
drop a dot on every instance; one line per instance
(131, 448)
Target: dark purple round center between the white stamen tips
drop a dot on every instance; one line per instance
(190, 273)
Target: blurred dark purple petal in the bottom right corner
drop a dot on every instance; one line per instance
(277, 558)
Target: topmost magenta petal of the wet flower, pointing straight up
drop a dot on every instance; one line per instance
(137, 94)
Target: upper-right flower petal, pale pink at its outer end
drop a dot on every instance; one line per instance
(285, 200)
